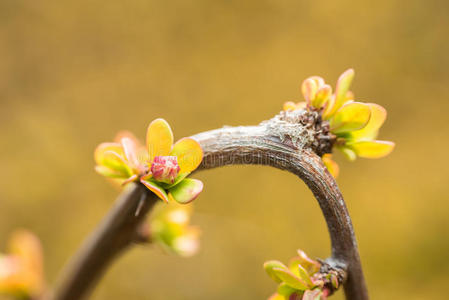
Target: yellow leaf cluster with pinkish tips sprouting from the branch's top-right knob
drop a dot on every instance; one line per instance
(354, 124)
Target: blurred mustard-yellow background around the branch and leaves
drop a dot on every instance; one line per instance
(73, 73)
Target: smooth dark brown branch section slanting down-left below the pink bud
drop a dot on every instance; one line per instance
(115, 233)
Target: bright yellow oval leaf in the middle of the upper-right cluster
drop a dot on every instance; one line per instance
(351, 116)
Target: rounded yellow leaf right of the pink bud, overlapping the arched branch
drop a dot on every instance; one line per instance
(189, 154)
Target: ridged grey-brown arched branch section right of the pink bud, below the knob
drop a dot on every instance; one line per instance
(254, 145)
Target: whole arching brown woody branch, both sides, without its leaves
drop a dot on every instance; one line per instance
(274, 143)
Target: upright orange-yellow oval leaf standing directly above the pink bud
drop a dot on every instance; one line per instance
(159, 138)
